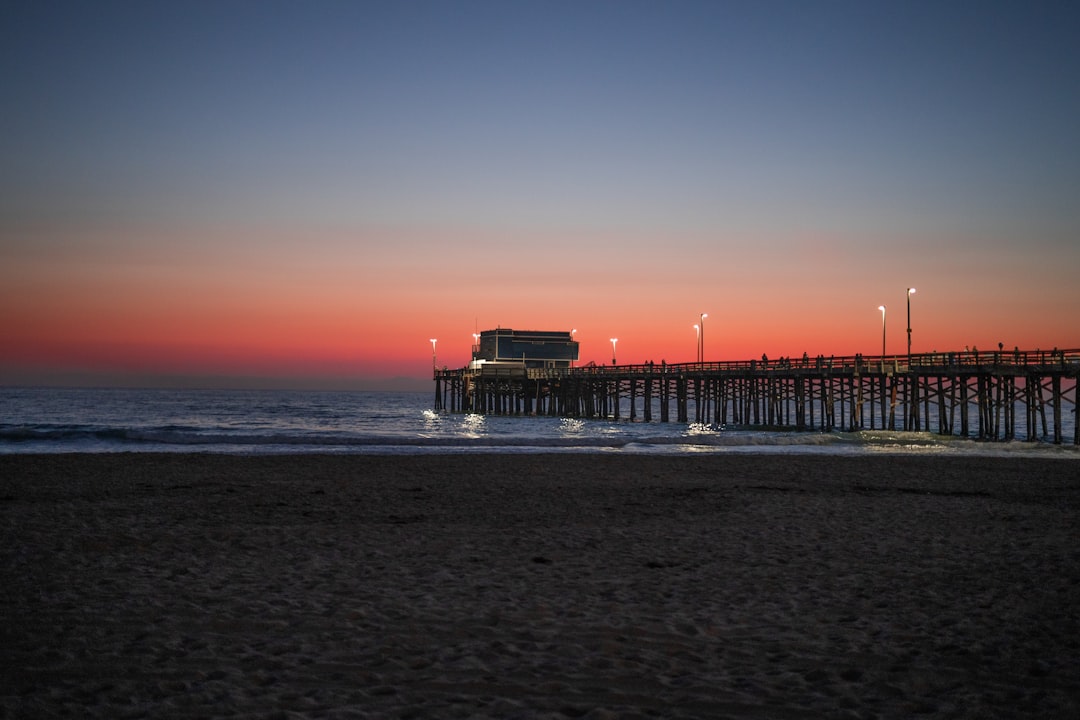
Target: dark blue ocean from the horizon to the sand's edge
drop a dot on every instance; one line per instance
(266, 423)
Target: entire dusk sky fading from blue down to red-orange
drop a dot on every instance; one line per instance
(287, 194)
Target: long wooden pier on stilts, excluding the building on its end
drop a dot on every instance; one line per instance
(989, 396)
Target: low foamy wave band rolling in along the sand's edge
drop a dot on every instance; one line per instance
(641, 438)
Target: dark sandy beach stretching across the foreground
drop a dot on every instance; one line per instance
(520, 586)
